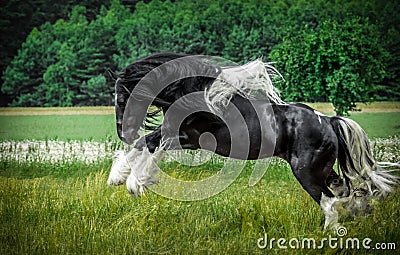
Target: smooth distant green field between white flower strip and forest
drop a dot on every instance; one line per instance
(98, 123)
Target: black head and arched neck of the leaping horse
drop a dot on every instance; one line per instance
(157, 80)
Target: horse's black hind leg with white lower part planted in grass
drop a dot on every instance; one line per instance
(312, 172)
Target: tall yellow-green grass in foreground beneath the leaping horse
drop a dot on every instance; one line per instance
(72, 211)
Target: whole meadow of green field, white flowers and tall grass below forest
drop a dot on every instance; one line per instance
(62, 205)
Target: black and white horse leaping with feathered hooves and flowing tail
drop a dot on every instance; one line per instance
(212, 106)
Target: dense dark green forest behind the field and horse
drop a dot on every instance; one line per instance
(57, 53)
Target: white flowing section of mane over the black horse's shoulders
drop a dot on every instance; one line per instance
(251, 80)
